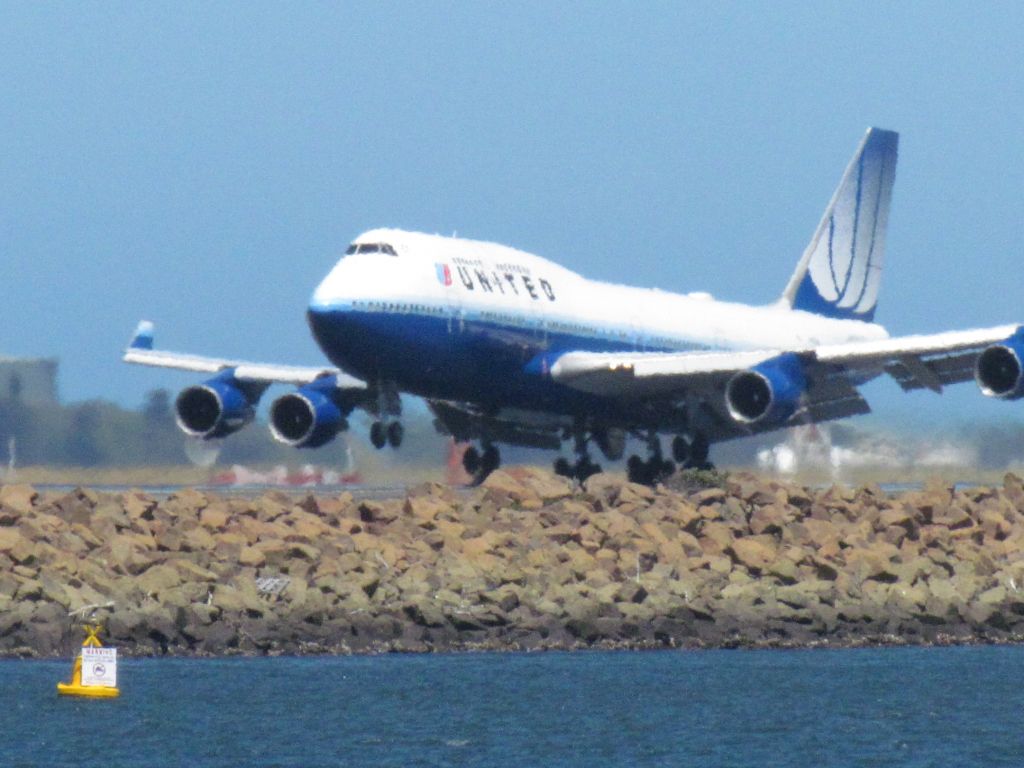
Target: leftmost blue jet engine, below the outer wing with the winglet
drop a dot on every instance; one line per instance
(217, 408)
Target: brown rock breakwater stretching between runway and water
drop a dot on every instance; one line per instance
(526, 562)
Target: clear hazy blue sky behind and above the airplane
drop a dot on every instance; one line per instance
(203, 165)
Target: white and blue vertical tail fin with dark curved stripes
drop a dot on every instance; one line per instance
(840, 273)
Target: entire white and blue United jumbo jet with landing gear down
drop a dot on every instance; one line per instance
(507, 348)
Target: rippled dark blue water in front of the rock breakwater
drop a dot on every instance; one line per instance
(903, 707)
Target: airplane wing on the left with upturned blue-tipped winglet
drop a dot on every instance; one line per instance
(141, 352)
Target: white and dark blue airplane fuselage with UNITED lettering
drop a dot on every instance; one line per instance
(458, 320)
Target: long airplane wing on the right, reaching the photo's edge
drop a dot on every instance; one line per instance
(829, 375)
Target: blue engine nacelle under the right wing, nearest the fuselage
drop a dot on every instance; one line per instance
(769, 393)
